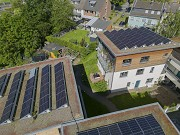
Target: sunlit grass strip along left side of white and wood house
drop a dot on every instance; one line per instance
(90, 65)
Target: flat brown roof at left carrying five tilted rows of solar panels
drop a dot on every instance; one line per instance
(37, 96)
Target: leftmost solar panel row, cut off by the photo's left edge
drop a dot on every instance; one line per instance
(3, 83)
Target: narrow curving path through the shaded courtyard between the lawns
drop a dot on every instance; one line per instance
(102, 99)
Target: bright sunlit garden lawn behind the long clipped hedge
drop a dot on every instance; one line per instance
(76, 35)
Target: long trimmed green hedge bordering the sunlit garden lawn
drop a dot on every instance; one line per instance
(82, 50)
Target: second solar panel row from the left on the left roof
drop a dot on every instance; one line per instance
(12, 99)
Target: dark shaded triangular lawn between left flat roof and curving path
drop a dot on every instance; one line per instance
(93, 107)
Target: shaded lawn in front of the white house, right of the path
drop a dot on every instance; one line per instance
(132, 99)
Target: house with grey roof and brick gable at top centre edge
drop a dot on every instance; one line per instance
(88, 9)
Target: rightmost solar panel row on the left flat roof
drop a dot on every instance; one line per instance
(61, 95)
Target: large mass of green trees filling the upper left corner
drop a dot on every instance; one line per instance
(24, 30)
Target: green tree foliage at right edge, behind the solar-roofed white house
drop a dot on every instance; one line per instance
(170, 26)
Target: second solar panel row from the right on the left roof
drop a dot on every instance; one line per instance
(45, 91)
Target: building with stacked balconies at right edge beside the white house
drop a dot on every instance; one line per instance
(172, 69)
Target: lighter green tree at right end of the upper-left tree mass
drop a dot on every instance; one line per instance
(62, 13)
